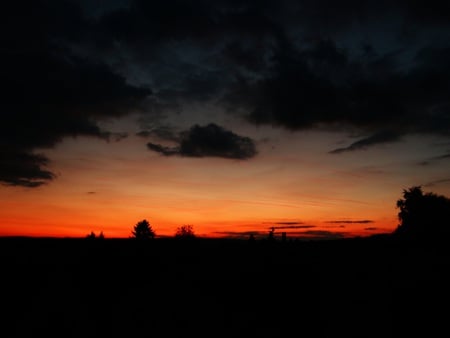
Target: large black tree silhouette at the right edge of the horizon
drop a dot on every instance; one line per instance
(423, 215)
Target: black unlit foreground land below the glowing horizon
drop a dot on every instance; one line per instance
(223, 288)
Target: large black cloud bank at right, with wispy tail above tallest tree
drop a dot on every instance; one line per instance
(322, 87)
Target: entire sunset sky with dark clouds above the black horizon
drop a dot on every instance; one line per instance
(234, 117)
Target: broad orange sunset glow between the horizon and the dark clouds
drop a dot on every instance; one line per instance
(219, 198)
